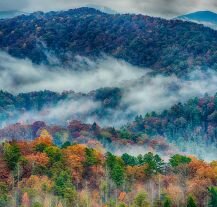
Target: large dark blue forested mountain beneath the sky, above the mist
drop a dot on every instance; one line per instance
(167, 46)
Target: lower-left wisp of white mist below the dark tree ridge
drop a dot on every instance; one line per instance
(61, 113)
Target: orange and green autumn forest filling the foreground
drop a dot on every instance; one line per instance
(38, 173)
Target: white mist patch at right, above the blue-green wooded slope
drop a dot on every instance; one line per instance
(160, 92)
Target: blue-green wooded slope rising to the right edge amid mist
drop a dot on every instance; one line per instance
(194, 119)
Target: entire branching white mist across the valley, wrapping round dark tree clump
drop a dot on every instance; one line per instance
(142, 91)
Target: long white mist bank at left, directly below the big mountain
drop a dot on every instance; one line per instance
(18, 75)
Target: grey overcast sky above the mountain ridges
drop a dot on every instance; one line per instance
(163, 8)
